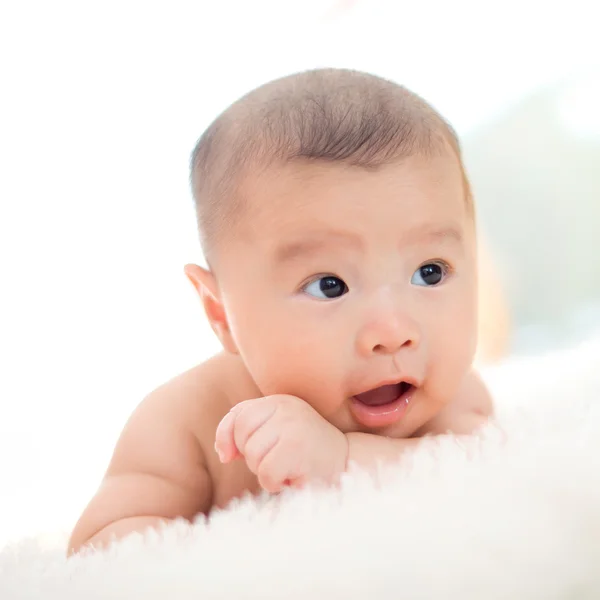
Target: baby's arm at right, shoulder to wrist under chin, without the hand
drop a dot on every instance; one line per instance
(471, 409)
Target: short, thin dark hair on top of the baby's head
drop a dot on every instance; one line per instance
(334, 115)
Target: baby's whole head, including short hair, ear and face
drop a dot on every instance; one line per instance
(338, 225)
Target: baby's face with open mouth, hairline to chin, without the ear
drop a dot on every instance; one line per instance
(339, 280)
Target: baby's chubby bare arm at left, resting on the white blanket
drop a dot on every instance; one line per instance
(157, 473)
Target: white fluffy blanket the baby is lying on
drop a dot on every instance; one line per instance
(508, 516)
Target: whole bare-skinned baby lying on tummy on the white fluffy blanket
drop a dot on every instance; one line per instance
(338, 225)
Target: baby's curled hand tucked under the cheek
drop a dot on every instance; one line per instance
(284, 442)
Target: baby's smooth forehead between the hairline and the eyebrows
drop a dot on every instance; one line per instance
(346, 207)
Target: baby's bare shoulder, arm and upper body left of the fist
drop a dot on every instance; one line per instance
(164, 465)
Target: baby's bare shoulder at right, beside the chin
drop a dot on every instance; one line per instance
(471, 408)
